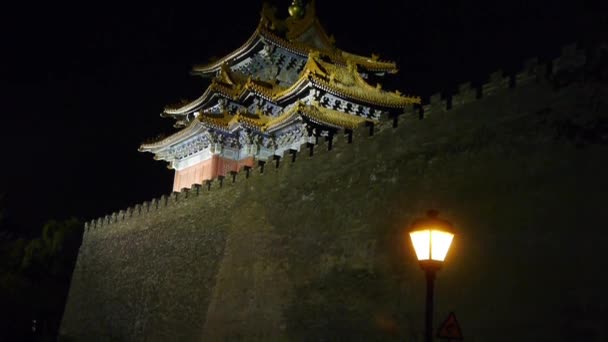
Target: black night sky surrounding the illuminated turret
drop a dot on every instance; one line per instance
(82, 86)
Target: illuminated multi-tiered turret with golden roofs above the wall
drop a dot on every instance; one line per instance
(285, 87)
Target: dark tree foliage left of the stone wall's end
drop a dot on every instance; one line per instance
(34, 280)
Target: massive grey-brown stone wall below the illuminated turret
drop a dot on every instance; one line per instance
(311, 246)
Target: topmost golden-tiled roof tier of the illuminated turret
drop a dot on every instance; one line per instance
(290, 34)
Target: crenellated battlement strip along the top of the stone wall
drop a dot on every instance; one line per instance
(570, 66)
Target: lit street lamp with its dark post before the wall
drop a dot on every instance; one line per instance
(431, 238)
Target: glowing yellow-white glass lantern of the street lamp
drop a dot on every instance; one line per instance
(431, 244)
